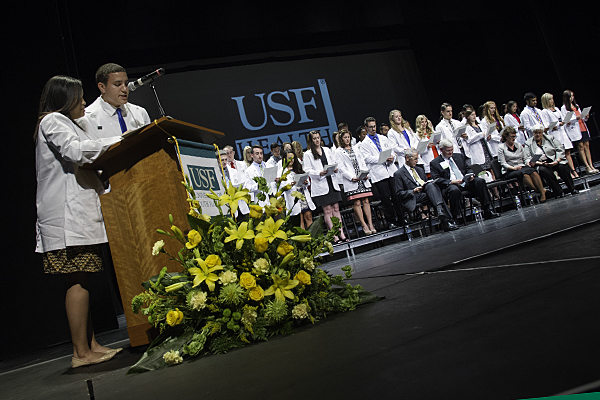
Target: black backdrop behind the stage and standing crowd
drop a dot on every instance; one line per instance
(374, 56)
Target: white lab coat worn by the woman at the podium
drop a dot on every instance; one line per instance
(68, 206)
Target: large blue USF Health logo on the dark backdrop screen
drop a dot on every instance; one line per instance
(285, 116)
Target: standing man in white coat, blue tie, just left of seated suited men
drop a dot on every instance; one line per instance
(381, 174)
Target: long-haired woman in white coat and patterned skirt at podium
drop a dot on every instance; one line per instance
(69, 225)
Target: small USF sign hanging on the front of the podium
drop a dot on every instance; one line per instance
(203, 169)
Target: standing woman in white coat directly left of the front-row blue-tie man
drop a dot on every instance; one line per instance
(351, 163)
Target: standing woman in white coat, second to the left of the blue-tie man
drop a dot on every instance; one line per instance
(324, 190)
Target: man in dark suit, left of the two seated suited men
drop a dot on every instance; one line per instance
(410, 187)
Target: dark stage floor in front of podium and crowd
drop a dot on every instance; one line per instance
(504, 309)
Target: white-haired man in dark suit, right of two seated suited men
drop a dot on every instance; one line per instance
(450, 169)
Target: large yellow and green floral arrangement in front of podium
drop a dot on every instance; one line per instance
(241, 282)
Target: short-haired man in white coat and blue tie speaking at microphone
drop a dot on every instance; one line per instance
(111, 114)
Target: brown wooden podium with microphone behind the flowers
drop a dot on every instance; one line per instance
(145, 178)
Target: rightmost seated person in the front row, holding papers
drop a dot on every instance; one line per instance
(552, 159)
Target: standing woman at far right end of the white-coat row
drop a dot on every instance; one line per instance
(578, 131)
